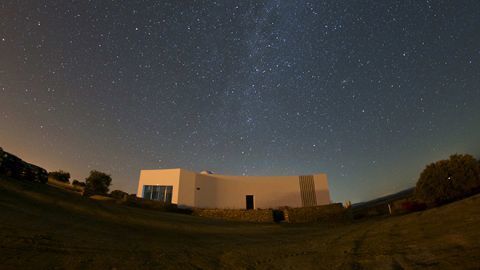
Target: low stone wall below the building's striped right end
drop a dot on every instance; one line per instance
(330, 212)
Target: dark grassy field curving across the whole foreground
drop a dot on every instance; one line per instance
(43, 227)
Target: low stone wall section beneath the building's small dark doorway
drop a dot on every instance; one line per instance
(260, 216)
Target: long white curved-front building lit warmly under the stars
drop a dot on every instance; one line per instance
(207, 190)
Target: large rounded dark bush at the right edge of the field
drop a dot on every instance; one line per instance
(449, 180)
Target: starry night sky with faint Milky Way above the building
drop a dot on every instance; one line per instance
(368, 92)
